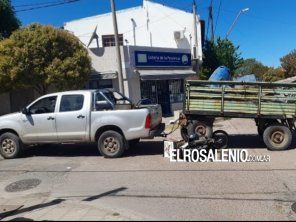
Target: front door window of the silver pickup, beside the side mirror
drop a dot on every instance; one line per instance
(45, 105)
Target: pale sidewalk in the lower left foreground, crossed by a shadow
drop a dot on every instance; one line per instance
(58, 210)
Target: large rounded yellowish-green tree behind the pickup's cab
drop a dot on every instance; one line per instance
(42, 56)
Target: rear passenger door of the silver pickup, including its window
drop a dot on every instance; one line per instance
(71, 119)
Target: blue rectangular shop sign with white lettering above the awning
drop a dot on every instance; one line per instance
(162, 59)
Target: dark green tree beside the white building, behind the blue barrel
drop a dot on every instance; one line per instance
(217, 53)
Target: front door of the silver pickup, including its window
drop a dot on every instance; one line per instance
(39, 123)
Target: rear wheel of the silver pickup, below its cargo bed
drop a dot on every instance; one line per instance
(111, 144)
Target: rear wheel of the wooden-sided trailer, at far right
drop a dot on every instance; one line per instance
(277, 137)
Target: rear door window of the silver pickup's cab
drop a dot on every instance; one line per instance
(71, 103)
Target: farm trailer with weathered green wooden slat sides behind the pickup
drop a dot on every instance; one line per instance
(271, 105)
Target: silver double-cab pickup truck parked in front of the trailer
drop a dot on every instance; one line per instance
(105, 117)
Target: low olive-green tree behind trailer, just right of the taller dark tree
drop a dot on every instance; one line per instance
(252, 66)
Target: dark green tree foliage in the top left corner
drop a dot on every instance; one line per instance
(8, 20)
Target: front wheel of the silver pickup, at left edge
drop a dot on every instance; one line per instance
(10, 146)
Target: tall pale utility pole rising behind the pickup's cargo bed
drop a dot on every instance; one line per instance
(119, 65)
